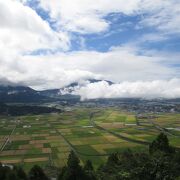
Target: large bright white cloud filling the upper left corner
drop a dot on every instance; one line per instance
(22, 30)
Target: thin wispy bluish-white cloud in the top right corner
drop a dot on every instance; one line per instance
(164, 15)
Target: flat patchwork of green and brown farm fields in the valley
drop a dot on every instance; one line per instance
(91, 133)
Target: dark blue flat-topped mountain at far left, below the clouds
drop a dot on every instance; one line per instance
(19, 94)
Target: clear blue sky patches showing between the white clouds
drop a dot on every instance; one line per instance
(122, 30)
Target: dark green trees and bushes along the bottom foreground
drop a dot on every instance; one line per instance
(161, 163)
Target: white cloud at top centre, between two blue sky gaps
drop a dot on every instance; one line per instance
(85, 16)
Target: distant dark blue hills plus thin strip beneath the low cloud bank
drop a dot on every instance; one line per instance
(22, 94)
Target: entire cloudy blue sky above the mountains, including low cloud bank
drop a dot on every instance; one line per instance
(48, 44)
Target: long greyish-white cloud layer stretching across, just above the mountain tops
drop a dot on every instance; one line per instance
(54, 71)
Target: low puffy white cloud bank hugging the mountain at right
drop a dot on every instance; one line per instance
(139, 89)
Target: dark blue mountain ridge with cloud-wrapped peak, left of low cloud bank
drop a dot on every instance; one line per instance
(22, 94)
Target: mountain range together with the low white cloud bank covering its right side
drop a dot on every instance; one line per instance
(94, 89)
